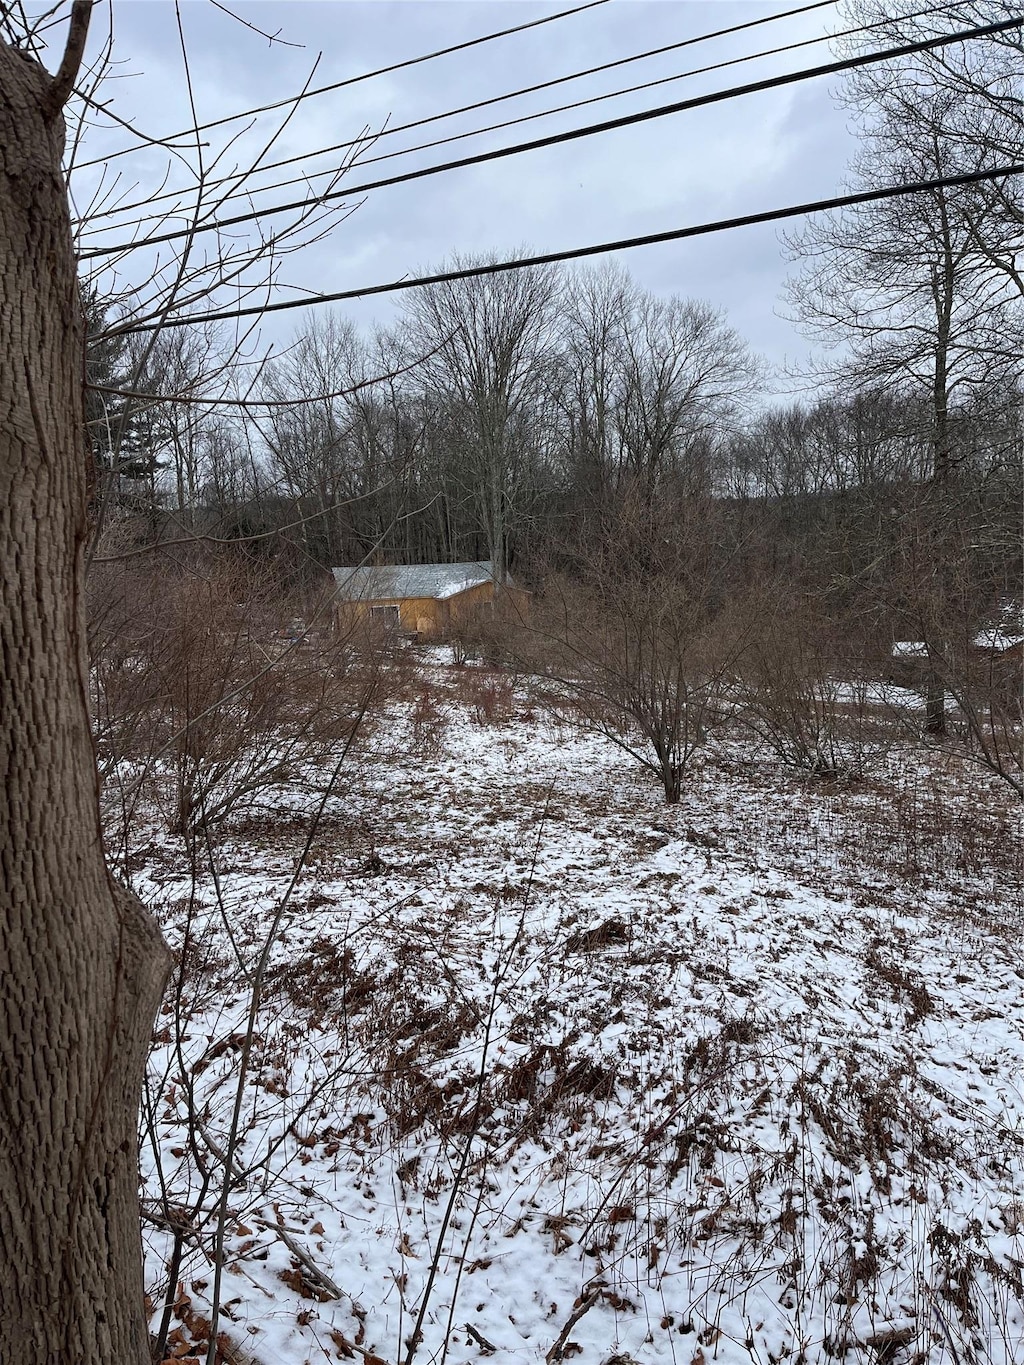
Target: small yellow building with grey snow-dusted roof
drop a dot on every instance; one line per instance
(424, 600)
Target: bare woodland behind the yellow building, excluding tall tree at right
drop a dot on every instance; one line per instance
(526, 417)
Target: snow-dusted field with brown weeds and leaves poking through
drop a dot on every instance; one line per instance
(541, 1068)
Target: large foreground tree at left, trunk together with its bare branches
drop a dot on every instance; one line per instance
(81, 963)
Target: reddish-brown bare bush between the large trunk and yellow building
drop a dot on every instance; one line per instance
(210, 691)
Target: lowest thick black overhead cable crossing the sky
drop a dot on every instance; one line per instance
(748, 220)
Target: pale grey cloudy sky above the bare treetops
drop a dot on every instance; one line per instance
(752, 154)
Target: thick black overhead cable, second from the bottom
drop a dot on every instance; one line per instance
(574, 134)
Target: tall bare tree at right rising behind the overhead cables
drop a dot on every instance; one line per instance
(902, 289)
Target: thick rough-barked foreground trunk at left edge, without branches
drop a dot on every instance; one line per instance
(81, 963)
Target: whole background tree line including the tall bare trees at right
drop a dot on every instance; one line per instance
(552, 420)
